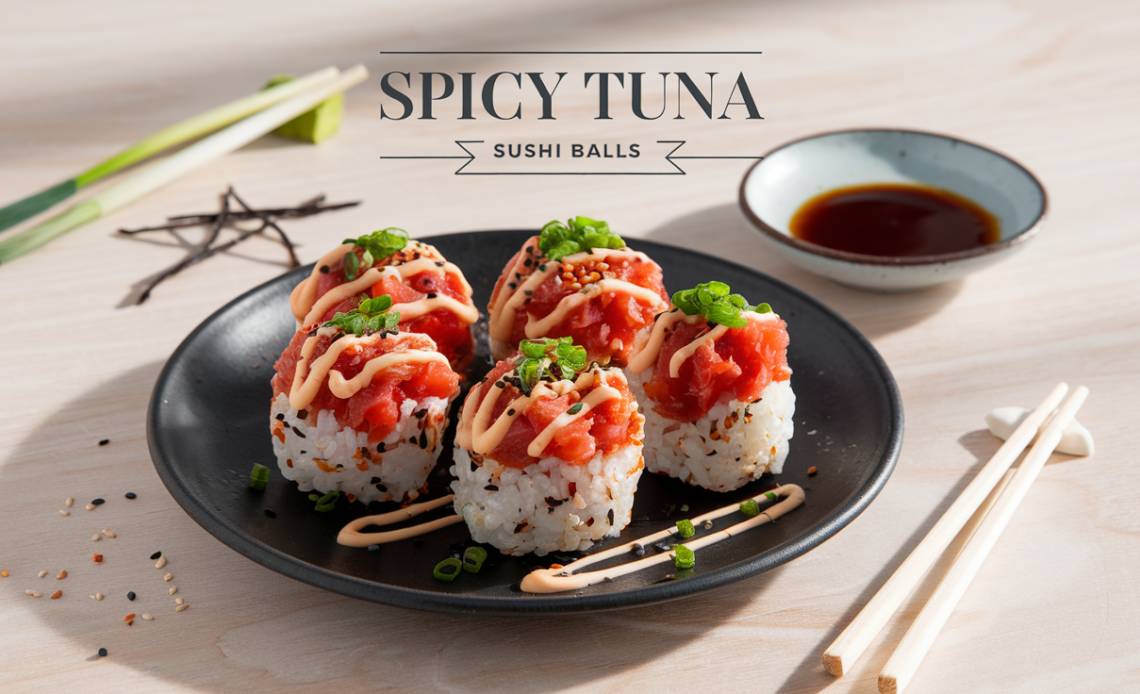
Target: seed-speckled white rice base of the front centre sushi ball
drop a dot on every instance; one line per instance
(533, 510)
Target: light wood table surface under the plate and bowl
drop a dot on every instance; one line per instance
(1056, 608)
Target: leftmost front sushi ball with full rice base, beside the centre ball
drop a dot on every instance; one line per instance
(361, 407)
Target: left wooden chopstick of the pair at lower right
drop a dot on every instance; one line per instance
(843, 654)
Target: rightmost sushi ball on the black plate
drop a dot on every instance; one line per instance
(713, 378)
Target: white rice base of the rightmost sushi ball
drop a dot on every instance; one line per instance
(734, 445)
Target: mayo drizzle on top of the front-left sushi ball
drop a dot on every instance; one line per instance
(307, 379)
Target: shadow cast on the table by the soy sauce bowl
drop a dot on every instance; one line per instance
(723, 231)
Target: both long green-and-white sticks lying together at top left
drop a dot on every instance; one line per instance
(247, 119)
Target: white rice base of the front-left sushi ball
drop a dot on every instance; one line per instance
(327, 458)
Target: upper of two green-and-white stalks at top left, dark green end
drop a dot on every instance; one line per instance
(166, 138)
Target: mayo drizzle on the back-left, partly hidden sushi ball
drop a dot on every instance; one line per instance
(308, 308)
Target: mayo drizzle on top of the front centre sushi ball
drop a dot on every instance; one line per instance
(477, 434)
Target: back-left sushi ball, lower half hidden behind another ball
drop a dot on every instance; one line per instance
(430, 293)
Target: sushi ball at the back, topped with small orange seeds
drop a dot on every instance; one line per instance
(576, 281)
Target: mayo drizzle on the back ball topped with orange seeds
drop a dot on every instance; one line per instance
(511, 299)
